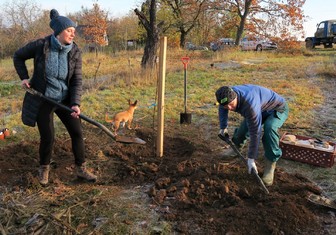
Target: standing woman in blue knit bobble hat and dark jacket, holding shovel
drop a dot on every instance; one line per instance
(58, 75)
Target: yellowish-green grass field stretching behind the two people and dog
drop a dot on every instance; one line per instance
(110, 80)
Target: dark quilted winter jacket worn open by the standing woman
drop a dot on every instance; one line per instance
(38, 50)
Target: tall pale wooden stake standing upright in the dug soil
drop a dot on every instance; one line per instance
(161, 91)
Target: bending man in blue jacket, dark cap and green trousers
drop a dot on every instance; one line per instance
(260, 107)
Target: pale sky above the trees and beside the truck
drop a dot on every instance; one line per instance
(316, 10)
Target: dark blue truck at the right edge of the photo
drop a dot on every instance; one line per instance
(325, 35)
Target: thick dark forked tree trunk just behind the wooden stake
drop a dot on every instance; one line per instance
(153, 32)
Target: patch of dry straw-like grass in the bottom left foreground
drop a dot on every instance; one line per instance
(66, 209)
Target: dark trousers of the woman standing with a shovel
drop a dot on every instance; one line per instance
(45, 123)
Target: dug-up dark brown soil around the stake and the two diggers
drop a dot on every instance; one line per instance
(192, 186)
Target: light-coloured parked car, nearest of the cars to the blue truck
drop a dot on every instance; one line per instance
(257, 44)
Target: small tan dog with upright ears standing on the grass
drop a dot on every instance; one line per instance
(123, 117)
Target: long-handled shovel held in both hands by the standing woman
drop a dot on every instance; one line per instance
(122, 139)
